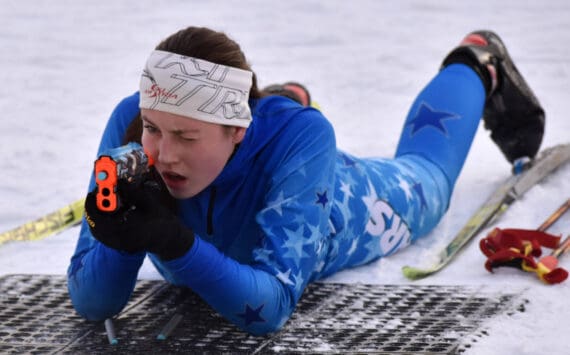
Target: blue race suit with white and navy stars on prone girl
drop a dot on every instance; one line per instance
(289, 208)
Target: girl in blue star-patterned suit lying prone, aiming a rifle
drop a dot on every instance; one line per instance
(249, 199)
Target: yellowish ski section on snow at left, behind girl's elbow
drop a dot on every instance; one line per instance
(47, 225)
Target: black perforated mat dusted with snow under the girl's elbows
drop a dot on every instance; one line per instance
(36, 317)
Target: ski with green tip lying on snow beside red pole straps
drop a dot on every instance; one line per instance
(499, 201)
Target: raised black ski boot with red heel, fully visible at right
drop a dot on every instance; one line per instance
(512, 112)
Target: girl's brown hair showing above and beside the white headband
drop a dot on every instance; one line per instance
(202, 43)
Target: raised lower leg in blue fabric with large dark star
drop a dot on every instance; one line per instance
(443, 120)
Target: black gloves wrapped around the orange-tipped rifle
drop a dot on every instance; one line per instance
(142, 223)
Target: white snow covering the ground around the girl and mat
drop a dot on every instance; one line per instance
(66, 63)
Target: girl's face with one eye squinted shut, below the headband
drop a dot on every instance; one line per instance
(188, 154)
